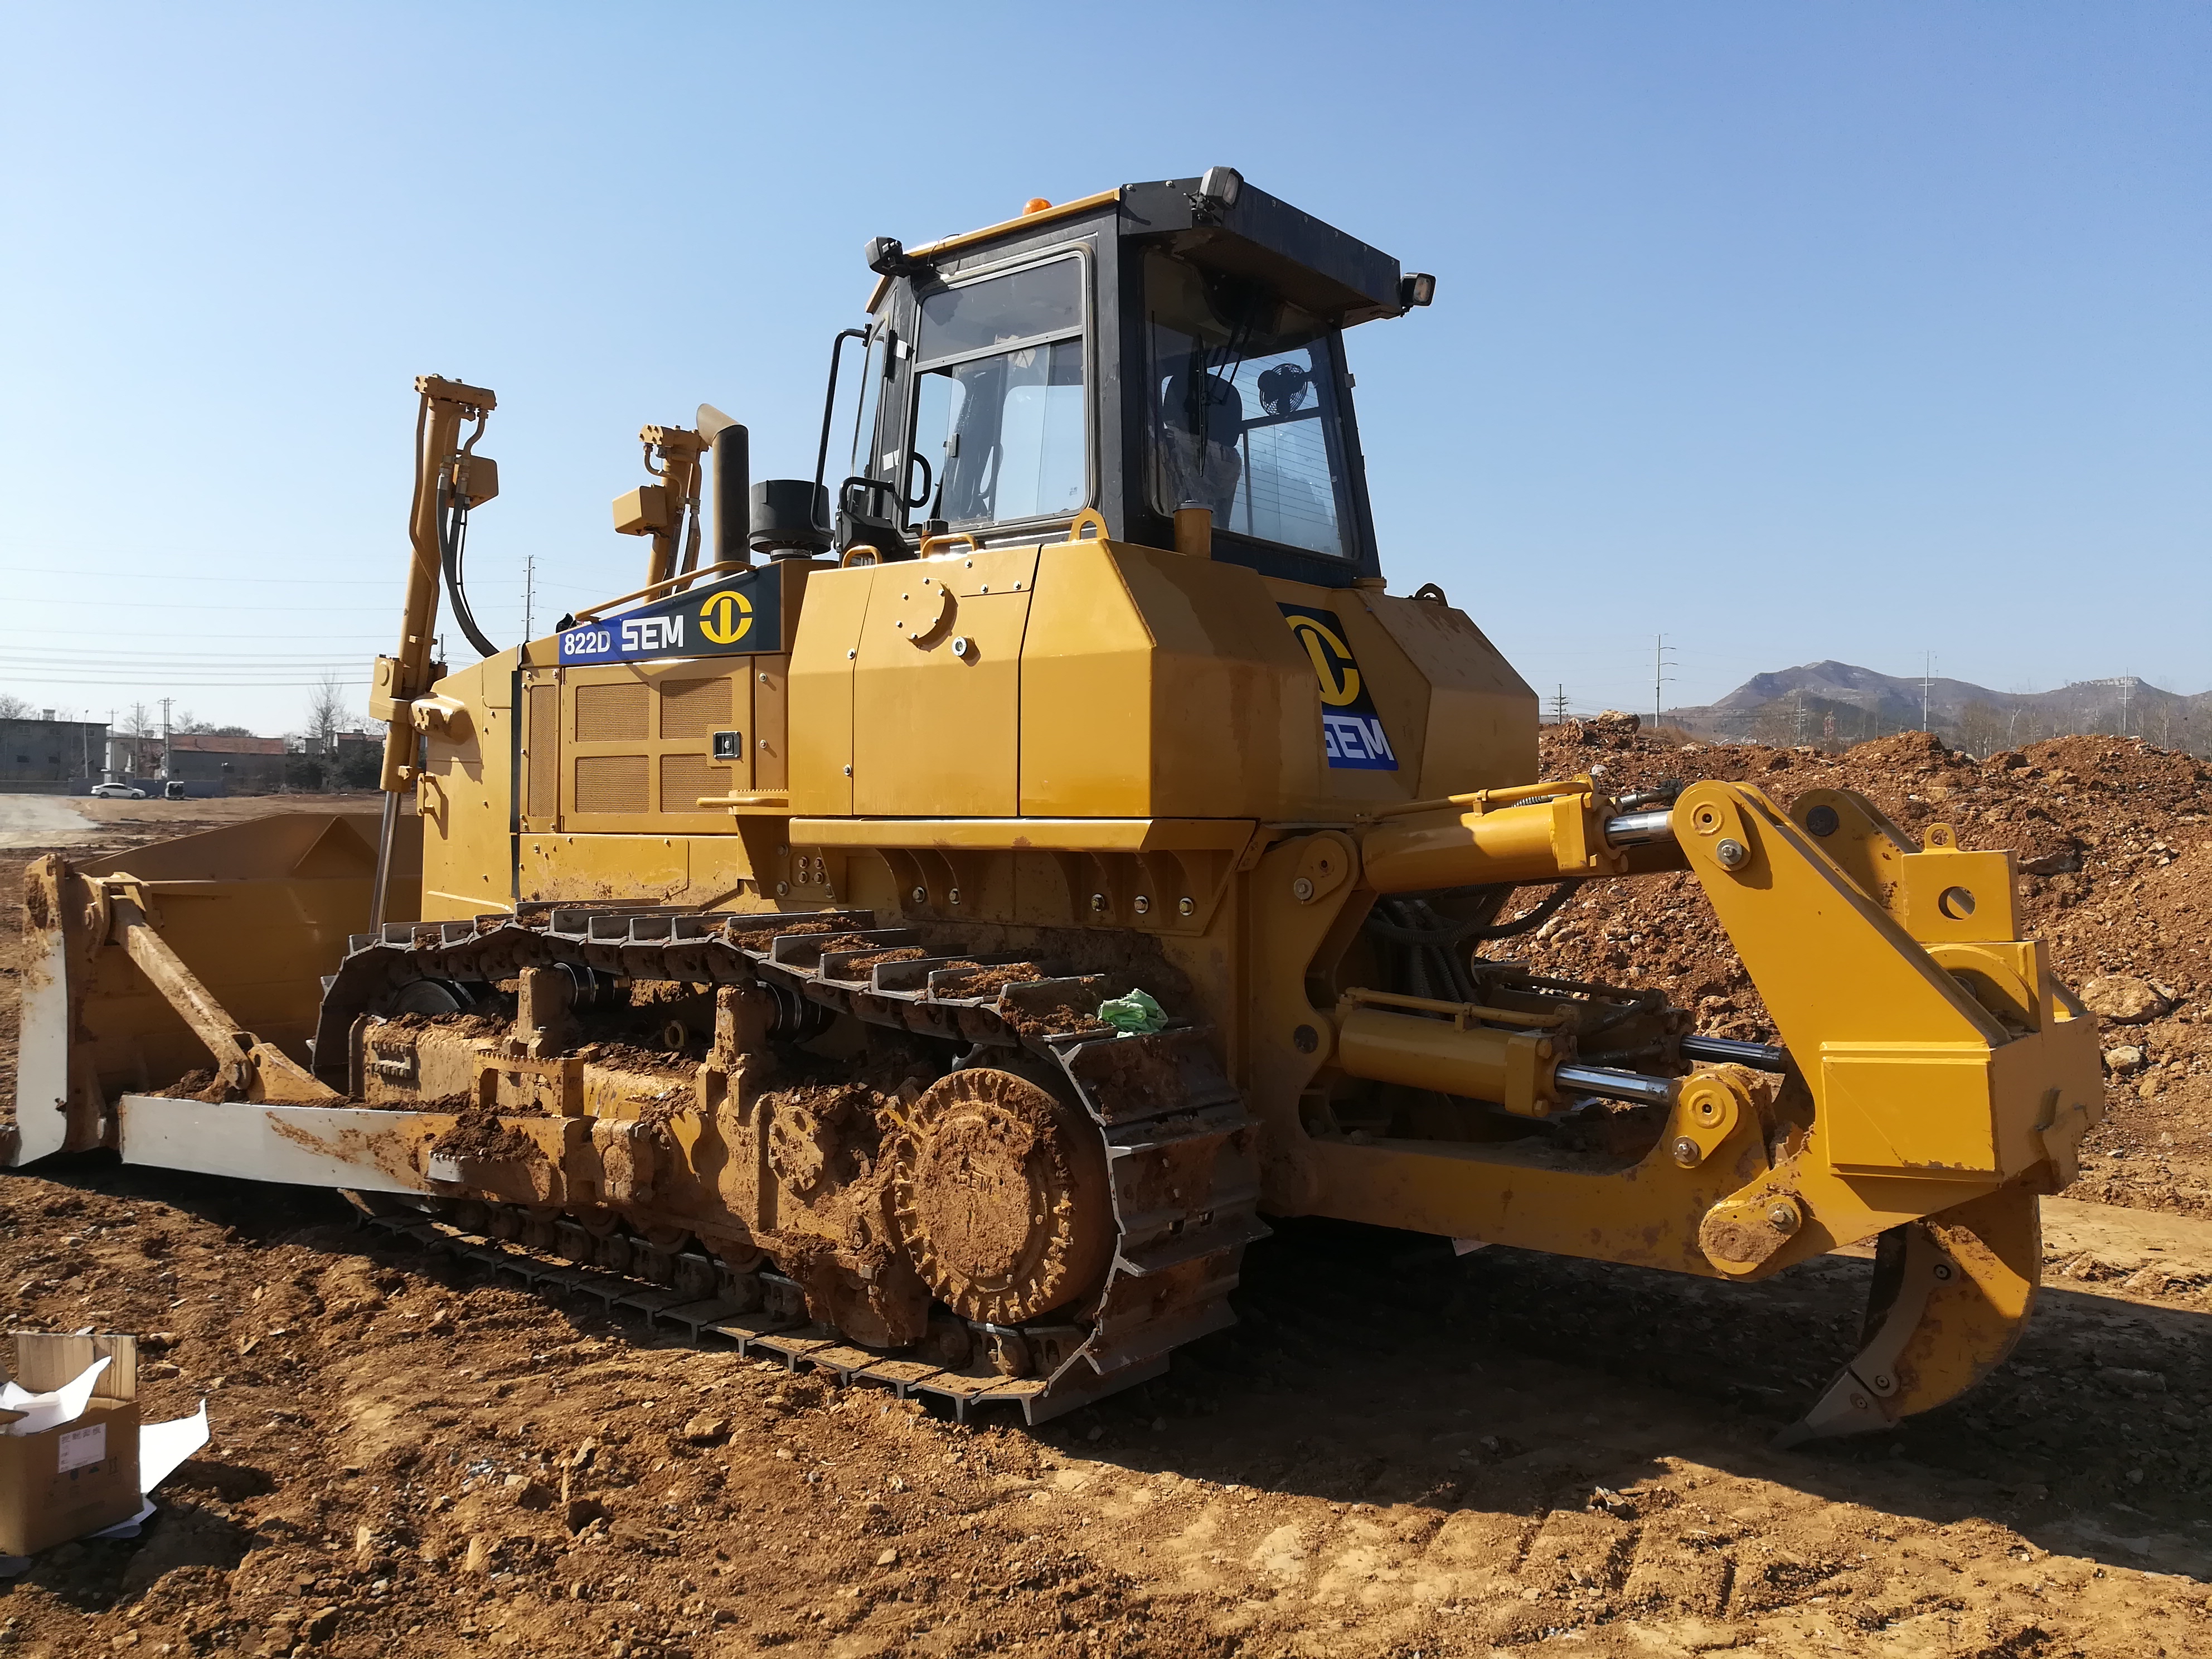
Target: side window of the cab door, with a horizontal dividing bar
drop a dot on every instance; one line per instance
(999, 413)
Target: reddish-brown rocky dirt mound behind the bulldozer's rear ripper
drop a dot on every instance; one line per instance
(2116, 855)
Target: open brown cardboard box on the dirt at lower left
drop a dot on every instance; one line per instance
(83, 1474)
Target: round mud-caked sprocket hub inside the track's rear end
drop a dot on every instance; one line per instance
(1001, 1198)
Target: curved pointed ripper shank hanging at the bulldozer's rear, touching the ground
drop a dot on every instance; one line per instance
(1950, 1300)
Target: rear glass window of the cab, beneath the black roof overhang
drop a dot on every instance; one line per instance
(1244, 408)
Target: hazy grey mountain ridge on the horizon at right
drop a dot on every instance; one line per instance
(1837, 702)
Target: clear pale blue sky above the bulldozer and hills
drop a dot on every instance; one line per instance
(1786, 331)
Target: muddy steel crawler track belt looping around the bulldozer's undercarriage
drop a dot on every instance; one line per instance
(1178, 1138)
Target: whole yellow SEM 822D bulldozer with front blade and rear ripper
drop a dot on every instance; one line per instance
(932, 921)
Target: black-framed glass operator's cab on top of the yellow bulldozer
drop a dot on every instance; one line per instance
(1145, 351)
